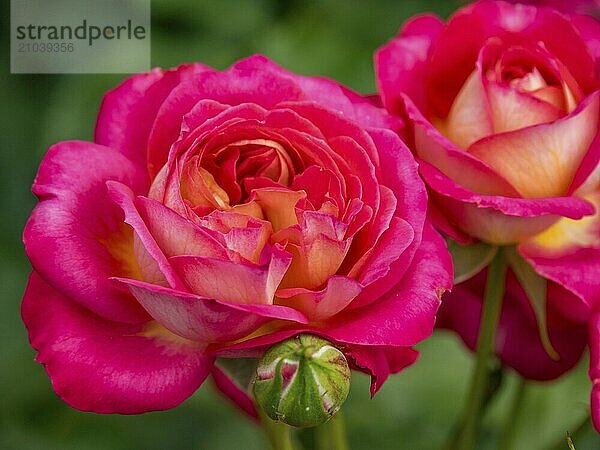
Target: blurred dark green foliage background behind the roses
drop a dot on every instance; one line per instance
(414, 410)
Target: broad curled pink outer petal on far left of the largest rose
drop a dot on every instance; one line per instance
(75, 237)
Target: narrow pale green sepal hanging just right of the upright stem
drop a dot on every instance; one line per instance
(535, 287)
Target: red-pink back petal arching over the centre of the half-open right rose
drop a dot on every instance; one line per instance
(457, 46)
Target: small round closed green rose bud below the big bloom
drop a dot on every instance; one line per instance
(302, 381)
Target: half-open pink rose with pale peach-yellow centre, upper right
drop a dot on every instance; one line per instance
(502, 109)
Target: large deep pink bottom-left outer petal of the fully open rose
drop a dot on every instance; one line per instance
(109, 367)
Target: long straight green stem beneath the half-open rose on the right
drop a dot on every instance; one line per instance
(492, 305)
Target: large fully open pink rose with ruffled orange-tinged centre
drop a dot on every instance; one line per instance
(215, 214)
